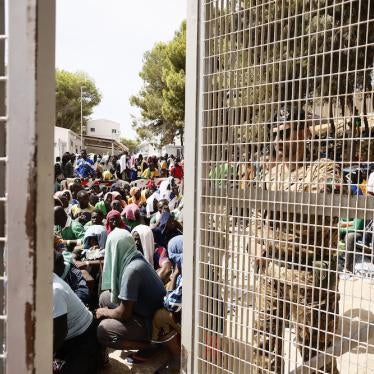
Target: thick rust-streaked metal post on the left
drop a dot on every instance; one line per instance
(29, 180)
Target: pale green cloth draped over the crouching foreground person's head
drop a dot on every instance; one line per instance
(120, 250)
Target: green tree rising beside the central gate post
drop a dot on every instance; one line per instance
(161, 100)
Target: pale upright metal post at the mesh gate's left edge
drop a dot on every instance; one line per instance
(191, 190)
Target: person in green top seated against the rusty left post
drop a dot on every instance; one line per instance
(72, 232)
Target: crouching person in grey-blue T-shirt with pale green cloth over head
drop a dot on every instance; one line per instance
(133, 293)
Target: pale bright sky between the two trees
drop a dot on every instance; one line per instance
(107, 40)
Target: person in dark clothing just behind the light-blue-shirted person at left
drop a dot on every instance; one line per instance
(64, 267)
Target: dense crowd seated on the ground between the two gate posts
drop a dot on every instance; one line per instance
(118, 258)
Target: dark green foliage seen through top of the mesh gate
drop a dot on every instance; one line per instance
(308, 59)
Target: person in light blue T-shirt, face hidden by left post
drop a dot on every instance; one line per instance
(75, 343)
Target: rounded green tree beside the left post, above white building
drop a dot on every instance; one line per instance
(68, 98)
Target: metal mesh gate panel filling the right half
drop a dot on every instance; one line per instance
(285, 265)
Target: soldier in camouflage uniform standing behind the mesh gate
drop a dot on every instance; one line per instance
(297, 277)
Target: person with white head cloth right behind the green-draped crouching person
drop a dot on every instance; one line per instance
(157, 257)
